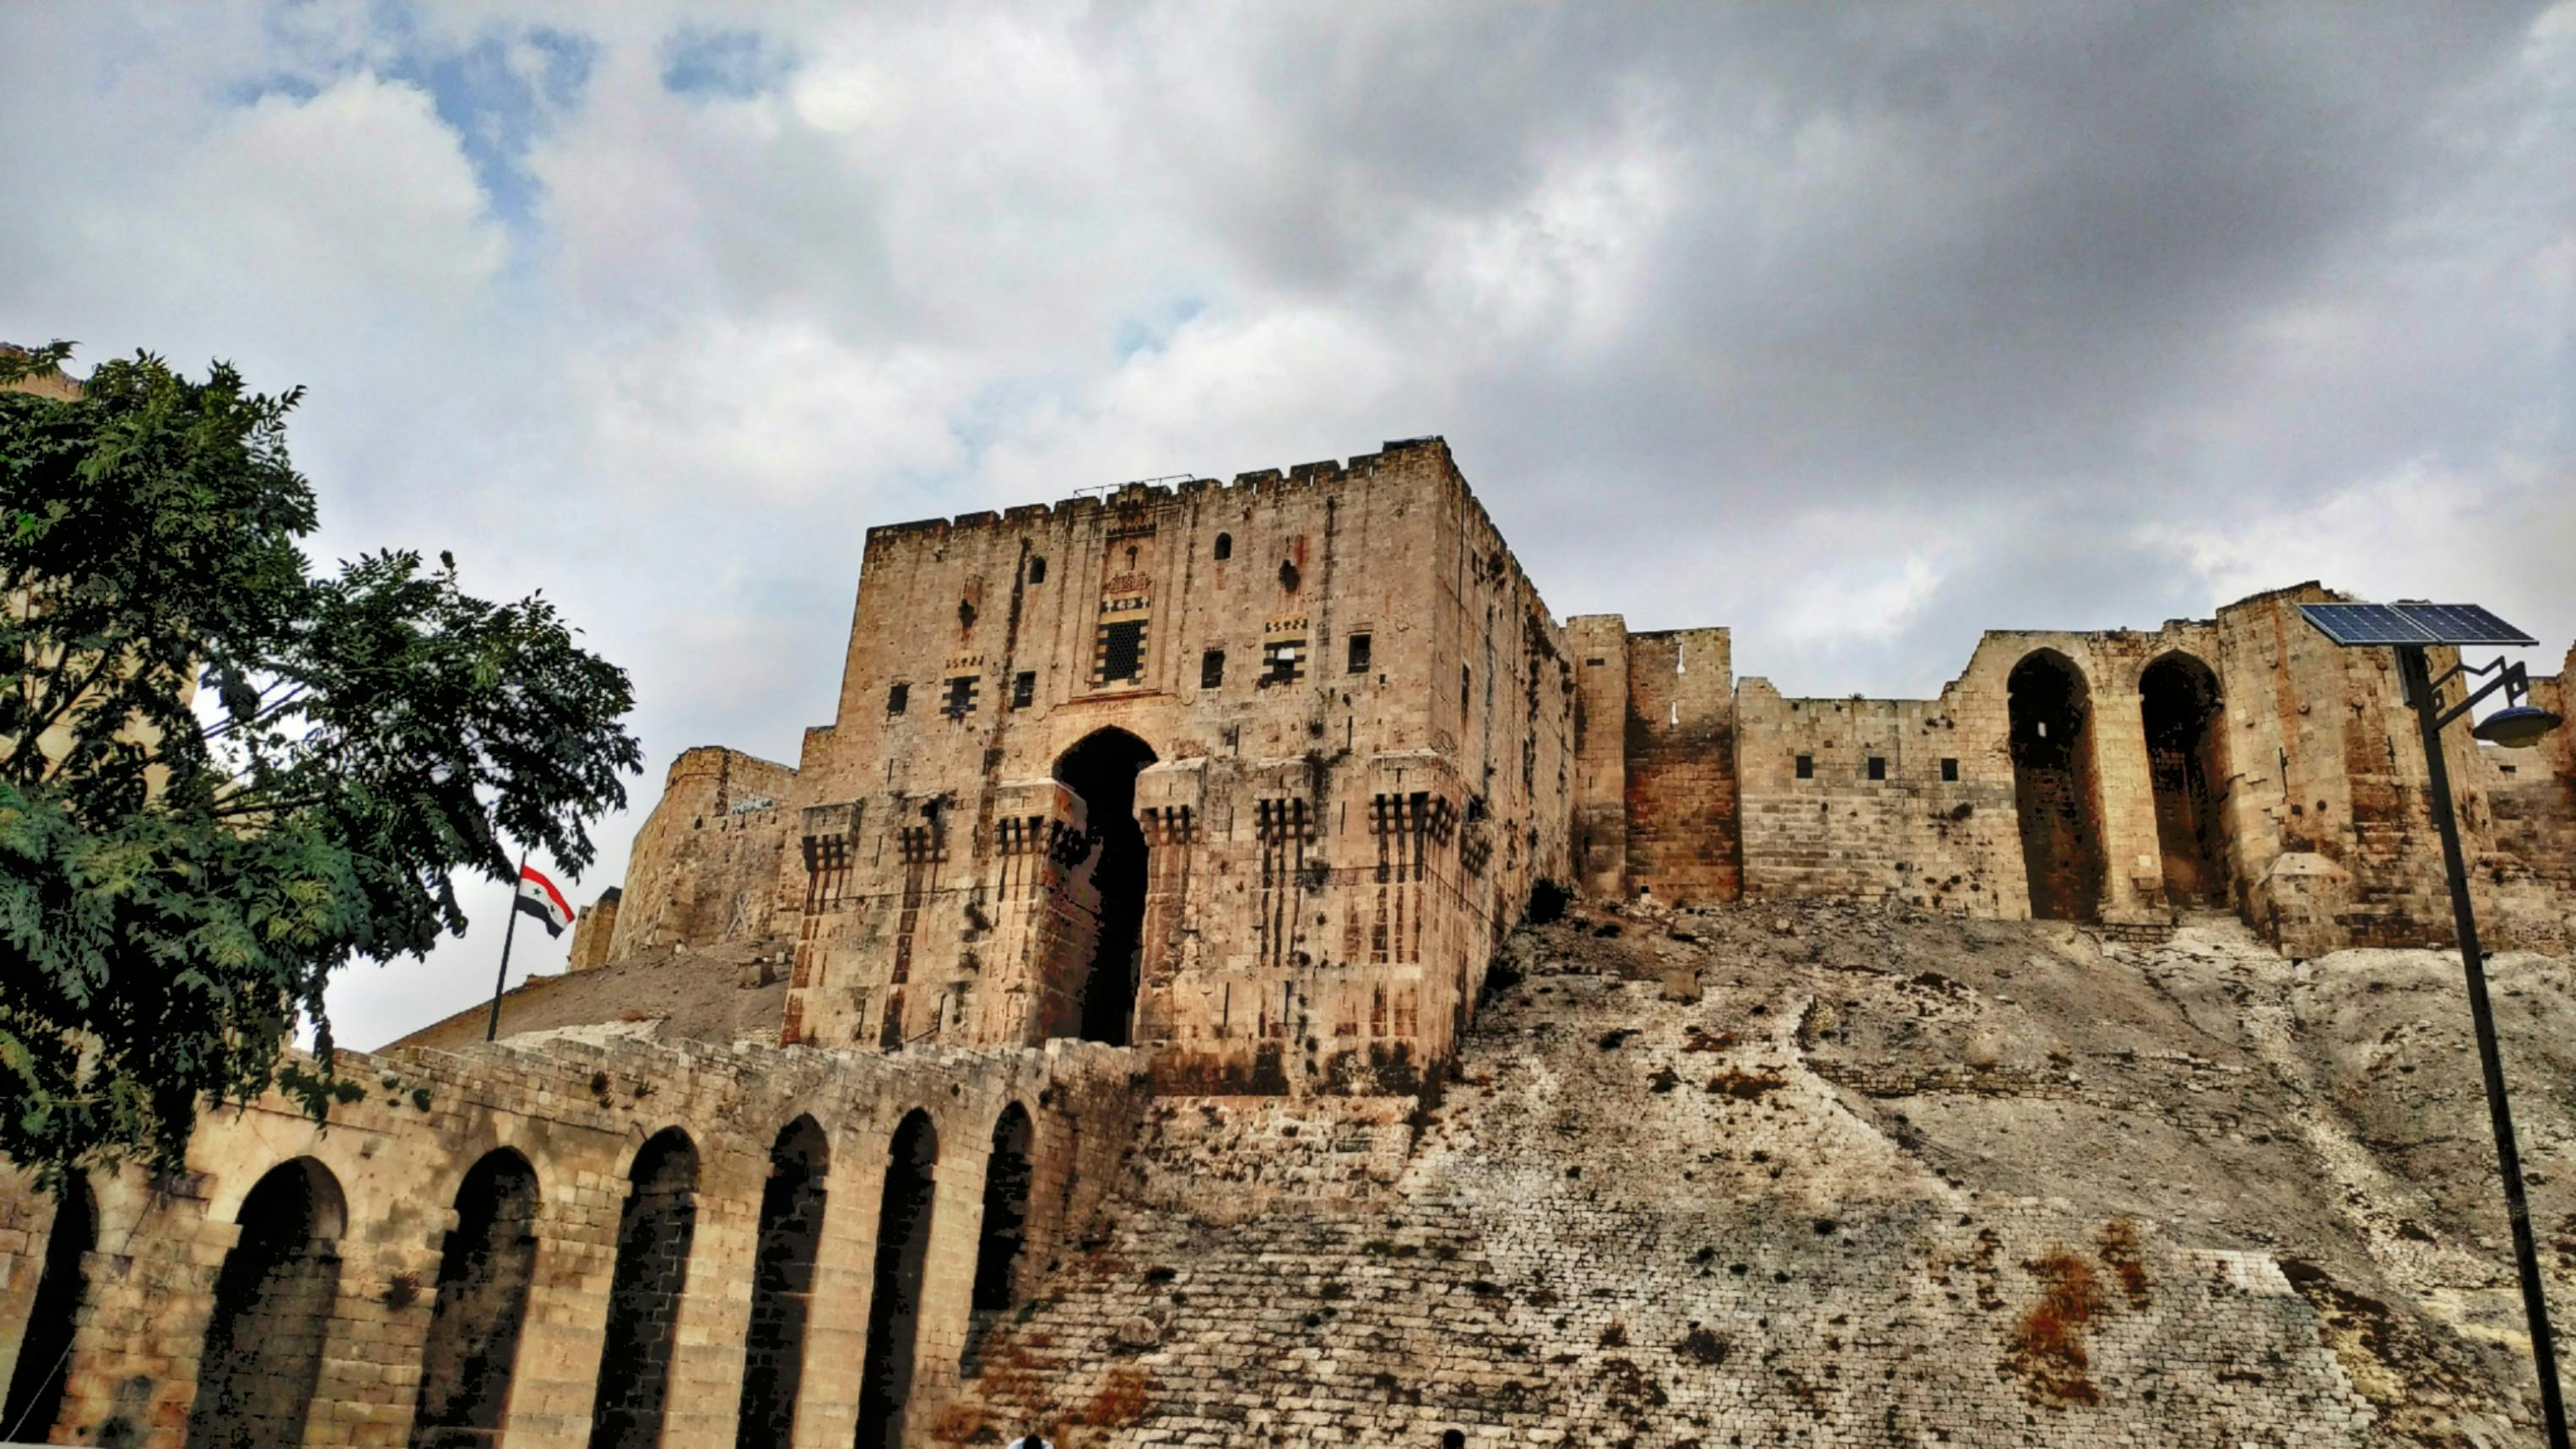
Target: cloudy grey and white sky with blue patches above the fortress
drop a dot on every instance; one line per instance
(1859, 331)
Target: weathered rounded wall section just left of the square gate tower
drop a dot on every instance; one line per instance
(707, 861)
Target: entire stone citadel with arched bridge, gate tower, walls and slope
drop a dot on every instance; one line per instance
(1140, 918)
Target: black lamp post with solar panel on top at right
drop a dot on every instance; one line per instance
(2410, 629)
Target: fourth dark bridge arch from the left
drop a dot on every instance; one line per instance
(656, 1229)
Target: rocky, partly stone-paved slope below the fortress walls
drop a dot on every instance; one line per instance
(1830, 1175)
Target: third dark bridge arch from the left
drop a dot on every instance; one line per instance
(483, 1298)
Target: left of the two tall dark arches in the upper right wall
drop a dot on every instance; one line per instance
(2054, 789)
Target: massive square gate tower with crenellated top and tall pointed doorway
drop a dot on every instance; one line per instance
(1356, 724)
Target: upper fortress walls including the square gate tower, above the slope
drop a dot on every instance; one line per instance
(1253, 773)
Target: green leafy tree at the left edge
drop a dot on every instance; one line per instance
(223, 776)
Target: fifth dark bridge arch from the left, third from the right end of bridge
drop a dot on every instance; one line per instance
(782, 1286)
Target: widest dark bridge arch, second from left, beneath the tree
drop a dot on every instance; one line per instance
(272, 1306)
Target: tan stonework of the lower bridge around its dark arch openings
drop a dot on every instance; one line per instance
(578, 1118)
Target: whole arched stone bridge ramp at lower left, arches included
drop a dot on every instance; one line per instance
(601, 1247)
